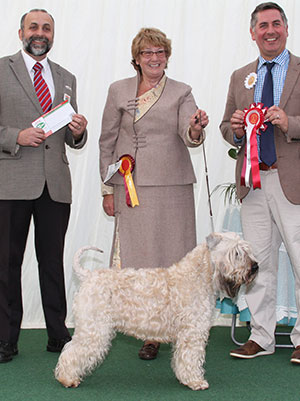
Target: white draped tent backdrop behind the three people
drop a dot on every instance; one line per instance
(93, 38)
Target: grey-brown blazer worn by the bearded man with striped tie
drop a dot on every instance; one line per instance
(24, 170)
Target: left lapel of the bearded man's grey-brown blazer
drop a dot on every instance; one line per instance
(18, 67)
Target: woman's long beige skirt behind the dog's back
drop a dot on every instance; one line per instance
(158, 232)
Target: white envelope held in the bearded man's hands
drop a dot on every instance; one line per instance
(56, 118)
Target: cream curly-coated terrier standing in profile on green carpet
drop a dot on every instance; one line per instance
(172, 305)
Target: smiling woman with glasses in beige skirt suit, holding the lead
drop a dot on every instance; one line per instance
(150, 120)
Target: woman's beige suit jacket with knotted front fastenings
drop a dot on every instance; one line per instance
(157, 141)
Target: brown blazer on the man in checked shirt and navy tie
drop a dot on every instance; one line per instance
(287, 146)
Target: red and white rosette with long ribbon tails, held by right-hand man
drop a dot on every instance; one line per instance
(254, 122)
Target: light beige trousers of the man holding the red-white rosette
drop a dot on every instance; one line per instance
(268, 218)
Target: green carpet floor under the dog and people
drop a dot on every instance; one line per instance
(124, 377)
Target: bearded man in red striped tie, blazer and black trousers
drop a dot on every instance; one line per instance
(35, 179)
